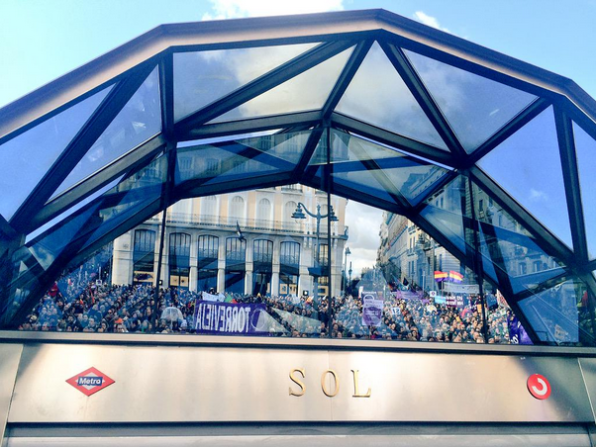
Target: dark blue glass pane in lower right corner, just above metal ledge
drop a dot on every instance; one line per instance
(562, 314)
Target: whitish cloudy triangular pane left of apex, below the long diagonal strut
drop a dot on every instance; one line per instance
(305, 92)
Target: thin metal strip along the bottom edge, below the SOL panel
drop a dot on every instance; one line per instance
(552, 440)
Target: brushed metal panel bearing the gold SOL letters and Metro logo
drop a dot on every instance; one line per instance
(186, 384)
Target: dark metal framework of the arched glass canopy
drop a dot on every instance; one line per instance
(41, 217)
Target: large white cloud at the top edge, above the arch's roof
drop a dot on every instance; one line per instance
(230, 9)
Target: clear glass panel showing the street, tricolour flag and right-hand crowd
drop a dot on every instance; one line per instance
(400, 284)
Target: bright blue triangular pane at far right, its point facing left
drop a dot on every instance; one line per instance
(528, 166)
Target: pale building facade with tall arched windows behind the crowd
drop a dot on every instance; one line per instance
(203, 251)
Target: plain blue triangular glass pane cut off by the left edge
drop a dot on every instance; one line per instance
(28, 157)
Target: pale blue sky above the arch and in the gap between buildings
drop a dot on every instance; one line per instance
(42, 40)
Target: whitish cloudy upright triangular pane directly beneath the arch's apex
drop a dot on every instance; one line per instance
(377, 95)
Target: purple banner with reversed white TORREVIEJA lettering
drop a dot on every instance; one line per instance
(231, 319)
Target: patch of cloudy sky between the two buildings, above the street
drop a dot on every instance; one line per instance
(364, 223)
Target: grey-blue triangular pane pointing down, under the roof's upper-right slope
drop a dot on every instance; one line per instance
(476, 107)
